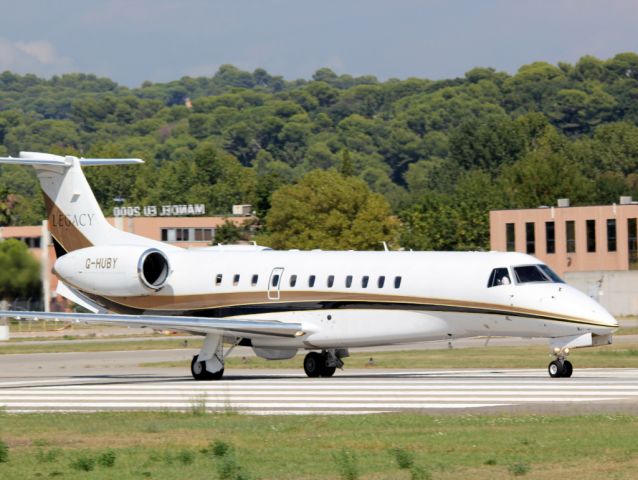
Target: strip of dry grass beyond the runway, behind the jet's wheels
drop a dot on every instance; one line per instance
(613, 356)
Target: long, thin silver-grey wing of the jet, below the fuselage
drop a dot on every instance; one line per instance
(202, 325)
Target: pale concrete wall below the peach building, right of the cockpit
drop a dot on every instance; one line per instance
(616, 291)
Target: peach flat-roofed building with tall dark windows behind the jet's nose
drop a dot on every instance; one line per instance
(595, 248)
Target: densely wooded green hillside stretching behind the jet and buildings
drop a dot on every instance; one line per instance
(429, 158)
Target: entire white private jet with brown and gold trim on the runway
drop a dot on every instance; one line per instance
(278, 302)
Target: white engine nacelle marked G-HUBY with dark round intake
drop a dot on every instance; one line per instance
(121, 270)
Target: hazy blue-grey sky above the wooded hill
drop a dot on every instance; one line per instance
(131, 41)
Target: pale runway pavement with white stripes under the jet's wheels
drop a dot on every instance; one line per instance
(351, 392)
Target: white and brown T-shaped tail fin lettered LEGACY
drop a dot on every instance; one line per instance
(74, 215)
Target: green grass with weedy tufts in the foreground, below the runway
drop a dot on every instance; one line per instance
(181, 445)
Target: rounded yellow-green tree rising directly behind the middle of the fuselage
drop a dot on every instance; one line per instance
(329, 211)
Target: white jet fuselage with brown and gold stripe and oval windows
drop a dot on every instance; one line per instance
(422, 295)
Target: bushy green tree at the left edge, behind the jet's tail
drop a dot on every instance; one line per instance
(19, 271)
